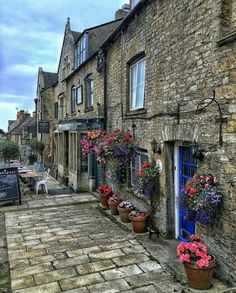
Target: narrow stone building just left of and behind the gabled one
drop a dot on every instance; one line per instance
(44, 108)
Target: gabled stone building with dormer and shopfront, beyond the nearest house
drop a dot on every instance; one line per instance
(79, 105)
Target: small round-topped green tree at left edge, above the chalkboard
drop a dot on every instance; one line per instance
(9, 150)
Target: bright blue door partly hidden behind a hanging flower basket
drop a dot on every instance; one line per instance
(187, 168)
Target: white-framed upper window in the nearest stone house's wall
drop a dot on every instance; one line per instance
(137, 78)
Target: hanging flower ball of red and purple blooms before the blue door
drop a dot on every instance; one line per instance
(200, 199)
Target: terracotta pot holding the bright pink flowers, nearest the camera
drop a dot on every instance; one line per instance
(199, 278)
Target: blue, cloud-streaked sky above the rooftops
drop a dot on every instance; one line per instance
(31, 35)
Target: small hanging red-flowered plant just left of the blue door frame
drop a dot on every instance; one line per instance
(148, 178)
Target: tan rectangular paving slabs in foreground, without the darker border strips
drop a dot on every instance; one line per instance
(100, 262)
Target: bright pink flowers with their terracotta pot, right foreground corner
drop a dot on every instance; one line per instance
(199, 265)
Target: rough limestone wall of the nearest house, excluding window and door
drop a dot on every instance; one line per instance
(184, 65)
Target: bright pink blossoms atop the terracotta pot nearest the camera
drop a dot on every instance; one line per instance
(194, 252)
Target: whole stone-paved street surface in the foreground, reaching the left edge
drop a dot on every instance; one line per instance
(75, 248)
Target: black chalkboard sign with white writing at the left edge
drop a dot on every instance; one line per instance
(9, 184)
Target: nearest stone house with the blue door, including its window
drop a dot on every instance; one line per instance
(164, 62)
